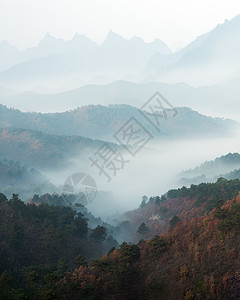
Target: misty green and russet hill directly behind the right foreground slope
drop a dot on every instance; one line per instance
(158, 213)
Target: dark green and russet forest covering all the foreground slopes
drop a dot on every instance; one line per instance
(187, 238)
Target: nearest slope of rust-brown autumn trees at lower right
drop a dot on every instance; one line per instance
(197, 259)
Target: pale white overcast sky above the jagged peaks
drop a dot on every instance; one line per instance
(24, 23)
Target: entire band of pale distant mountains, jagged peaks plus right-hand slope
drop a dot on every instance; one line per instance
(58, 65)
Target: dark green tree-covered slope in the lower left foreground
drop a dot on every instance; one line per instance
(40, 243)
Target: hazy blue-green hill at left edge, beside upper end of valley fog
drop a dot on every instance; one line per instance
(41, 150)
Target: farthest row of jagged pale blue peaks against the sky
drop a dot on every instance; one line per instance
(79, 44)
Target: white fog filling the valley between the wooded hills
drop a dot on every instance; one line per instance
(152, 172)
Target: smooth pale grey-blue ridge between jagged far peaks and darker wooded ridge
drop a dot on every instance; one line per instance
(118, 92)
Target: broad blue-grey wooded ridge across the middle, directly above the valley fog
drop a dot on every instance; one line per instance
(101, 122)
